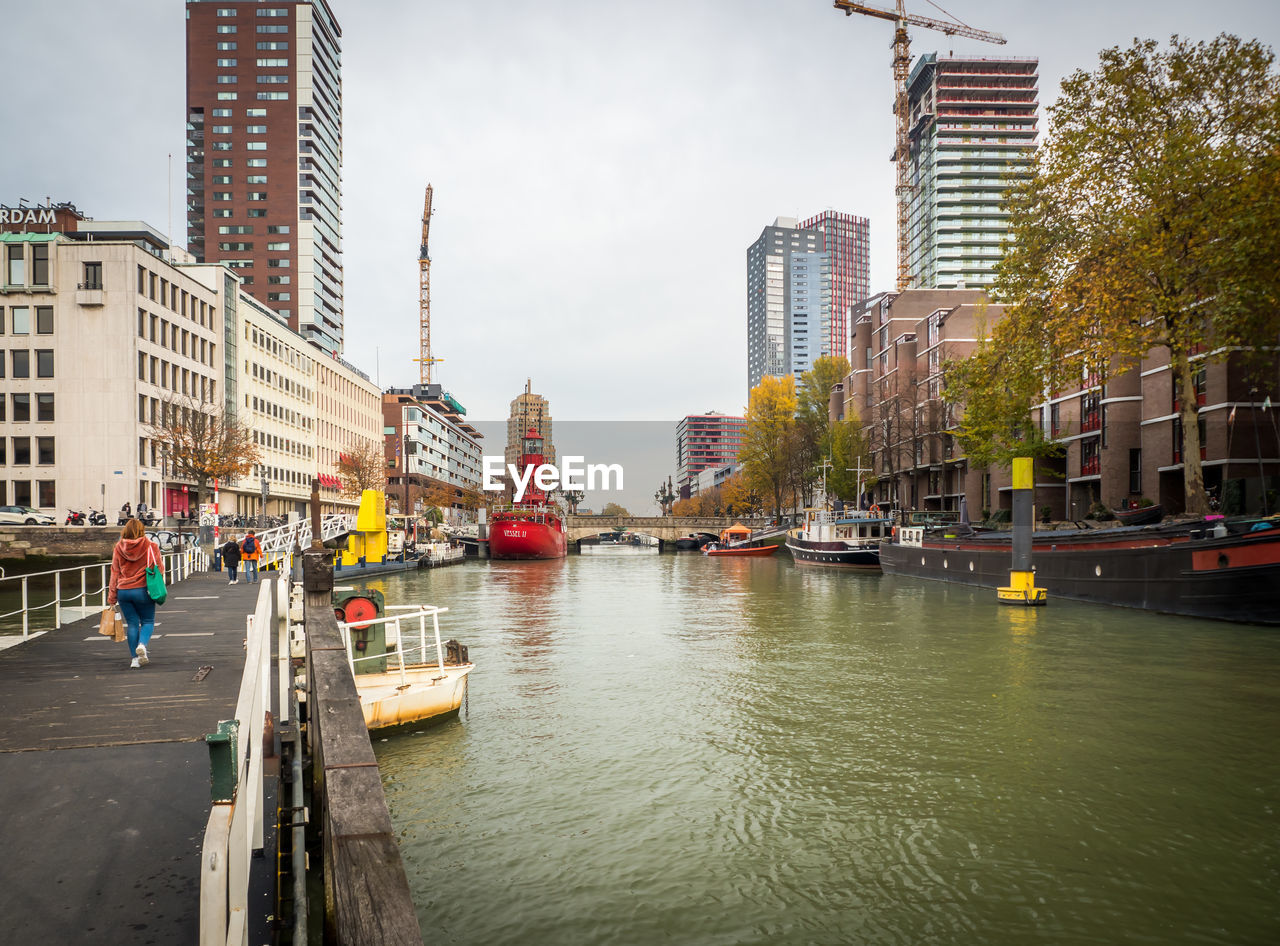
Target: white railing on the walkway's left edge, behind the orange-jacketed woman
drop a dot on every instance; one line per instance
(90, 593)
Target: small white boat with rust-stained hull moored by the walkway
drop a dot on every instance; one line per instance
(415, 677)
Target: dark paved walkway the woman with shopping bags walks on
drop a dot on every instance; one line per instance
(104, 775)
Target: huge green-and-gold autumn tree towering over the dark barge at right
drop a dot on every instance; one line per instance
(1151, 221)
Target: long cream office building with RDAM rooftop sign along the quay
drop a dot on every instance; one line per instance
(107, 326)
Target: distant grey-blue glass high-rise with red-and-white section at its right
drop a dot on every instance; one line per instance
(802, 280)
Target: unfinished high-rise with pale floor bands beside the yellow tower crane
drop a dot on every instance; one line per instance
(973, 126)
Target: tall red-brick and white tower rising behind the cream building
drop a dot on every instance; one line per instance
(264, 156)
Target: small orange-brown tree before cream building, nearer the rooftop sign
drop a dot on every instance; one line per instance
(204, 442)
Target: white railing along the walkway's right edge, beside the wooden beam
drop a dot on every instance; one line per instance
(235, 828)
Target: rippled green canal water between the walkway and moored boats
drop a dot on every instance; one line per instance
(678, 750)
